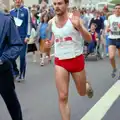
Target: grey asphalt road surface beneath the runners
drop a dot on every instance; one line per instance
(38, 95)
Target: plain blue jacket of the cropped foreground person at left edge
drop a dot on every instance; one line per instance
(10, 42)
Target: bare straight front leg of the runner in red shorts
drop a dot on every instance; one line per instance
(62, 84)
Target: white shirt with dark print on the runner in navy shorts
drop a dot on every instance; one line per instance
(115, 30)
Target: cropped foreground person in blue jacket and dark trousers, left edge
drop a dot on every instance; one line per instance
(10, 47)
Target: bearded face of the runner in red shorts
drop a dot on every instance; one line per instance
(60, 7)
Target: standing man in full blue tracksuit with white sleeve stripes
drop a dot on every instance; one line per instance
(22, 14)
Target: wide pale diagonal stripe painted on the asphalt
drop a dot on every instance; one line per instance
(98, 111)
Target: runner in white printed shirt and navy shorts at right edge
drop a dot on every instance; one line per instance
(114, 35)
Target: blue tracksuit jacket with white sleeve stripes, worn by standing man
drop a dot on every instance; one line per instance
(23, 14)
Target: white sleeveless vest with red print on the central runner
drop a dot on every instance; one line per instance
(68, 41)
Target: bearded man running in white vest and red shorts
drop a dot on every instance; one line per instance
(67, 31)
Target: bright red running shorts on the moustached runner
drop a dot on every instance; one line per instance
(71, 65)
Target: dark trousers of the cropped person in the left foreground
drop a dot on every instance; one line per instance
(7, 91)
